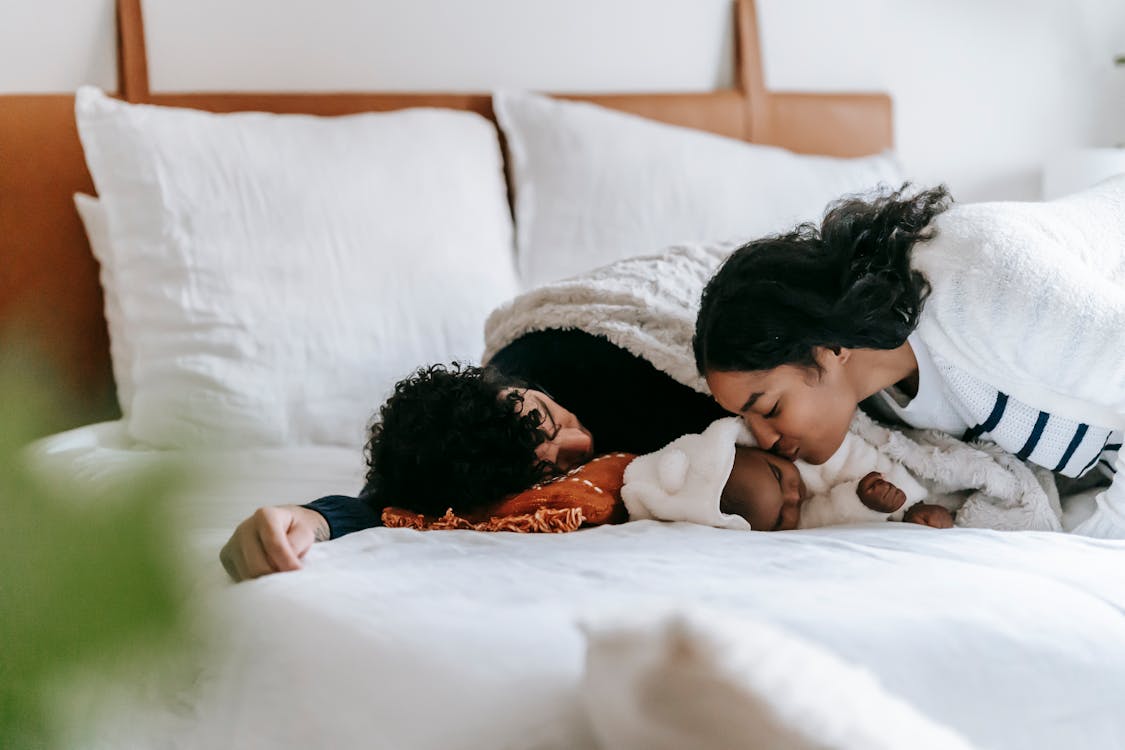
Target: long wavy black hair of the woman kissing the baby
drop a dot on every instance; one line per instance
(845, 284)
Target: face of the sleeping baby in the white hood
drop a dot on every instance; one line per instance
(766, 490)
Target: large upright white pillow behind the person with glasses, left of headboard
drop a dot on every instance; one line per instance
(277, 274)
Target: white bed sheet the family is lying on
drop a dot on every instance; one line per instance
(401, 639)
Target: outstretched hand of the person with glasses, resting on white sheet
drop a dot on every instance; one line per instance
(273, 540)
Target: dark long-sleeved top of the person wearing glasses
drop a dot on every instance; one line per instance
(624, 401)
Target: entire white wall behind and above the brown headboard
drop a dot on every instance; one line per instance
(985, 91)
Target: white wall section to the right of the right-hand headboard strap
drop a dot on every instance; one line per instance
(985, 91)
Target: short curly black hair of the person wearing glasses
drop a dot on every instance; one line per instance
(451, 438)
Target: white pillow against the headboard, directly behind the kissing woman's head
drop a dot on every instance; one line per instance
(593, 186)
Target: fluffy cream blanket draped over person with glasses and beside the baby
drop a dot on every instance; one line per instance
(649, 305)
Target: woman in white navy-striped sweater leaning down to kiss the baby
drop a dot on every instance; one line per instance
(916, 310)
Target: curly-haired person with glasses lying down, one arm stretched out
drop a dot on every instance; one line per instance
(463, 437)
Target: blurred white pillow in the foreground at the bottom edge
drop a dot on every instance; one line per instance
(710, 681)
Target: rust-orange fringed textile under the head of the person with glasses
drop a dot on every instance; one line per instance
(588, 496)
